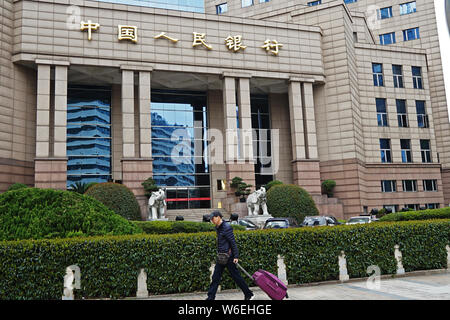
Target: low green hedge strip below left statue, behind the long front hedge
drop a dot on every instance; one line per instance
(167, 227)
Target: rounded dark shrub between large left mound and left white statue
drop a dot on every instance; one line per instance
(118, 198)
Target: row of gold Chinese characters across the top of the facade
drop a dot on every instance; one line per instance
(232, 43)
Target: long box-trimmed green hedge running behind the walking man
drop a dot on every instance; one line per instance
(180, 263)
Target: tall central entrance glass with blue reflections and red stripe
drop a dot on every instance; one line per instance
(179, 147)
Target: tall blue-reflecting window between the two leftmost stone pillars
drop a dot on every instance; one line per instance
(88, 134)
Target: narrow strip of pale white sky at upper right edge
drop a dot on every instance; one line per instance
(444, 41)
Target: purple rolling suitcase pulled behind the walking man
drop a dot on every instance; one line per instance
(268, 283)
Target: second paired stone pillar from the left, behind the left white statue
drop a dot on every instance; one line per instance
(136, 168)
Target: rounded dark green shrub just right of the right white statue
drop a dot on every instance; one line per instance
(290, 200)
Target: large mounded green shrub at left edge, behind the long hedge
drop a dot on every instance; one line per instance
(32, 213)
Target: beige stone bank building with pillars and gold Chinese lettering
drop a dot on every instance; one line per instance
(194, 94)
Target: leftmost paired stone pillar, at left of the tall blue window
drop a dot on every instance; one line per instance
(51, 163)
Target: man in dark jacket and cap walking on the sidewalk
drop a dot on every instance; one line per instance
(226, 244)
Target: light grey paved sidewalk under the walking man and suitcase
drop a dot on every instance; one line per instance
(428, 285)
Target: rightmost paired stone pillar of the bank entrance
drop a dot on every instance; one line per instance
(305, 163)
